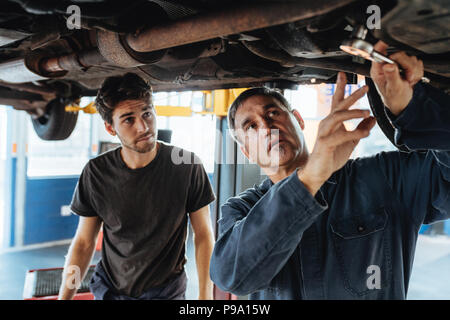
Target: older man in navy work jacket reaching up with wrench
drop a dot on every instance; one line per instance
(323, 226)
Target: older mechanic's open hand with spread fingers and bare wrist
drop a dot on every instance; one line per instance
(334, 143)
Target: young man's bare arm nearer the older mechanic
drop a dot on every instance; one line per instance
(204, 243)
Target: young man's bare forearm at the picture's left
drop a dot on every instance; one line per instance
(79, 256)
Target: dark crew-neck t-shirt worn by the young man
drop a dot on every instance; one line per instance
(144, 213)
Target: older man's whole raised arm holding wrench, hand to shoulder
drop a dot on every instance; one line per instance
(420, 114)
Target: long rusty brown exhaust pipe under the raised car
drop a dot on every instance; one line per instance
(150, 45)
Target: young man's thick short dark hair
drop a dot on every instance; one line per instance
(116, 89)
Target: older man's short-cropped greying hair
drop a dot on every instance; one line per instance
(259, 91)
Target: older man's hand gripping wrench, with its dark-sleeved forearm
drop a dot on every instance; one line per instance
(419, 112)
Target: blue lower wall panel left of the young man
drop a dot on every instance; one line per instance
(44, 199)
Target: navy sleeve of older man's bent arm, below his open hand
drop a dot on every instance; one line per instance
(258, 235)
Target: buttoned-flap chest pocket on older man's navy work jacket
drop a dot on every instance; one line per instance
(363, 253)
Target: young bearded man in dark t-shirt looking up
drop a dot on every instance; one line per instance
(143, 198)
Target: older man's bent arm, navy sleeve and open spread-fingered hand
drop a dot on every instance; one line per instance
(259, 232)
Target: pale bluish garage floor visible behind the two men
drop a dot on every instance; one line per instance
(430, 277)
